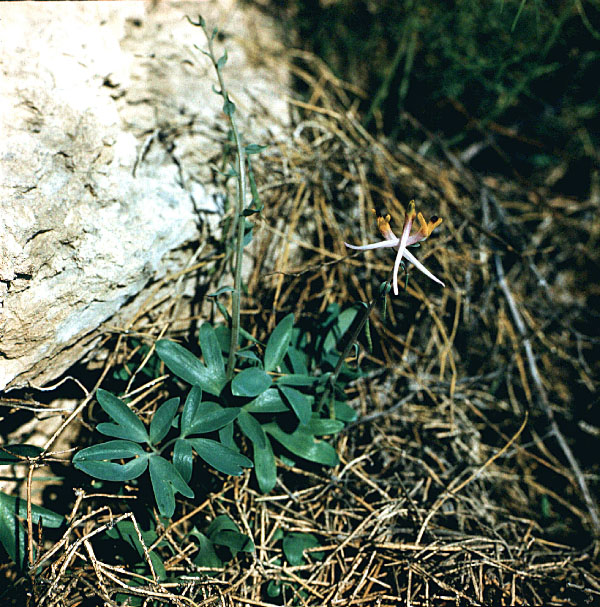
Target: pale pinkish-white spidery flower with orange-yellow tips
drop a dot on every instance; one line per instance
(383, 223)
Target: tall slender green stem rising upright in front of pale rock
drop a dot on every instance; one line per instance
(239, 219)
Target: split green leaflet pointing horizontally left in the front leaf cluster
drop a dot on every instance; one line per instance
(96, 461)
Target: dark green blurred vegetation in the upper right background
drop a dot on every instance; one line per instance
(510, 84)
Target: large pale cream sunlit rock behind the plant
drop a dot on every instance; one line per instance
(108, 120)
